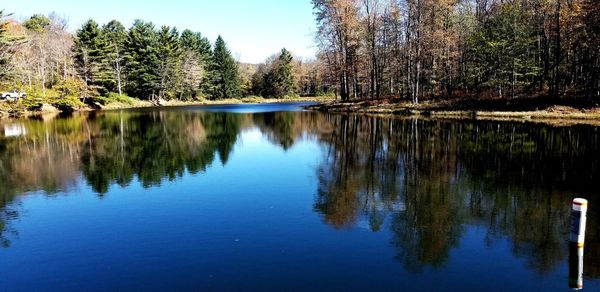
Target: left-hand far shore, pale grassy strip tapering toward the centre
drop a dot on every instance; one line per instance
(8, 110)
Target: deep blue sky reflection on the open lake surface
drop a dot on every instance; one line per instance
(254, 214)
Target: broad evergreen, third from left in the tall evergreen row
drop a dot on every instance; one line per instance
(143, 61)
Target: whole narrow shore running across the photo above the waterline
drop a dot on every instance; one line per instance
(551, 111)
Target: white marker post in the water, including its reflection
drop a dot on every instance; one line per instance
(577, 240)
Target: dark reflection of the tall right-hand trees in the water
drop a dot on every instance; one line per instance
(515, 179)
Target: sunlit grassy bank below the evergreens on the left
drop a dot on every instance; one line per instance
(29, 107)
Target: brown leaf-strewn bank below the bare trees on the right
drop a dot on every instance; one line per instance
(553, 114)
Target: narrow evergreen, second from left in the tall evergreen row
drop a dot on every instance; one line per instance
(115, 35)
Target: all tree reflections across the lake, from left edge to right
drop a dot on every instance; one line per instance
(426, 180)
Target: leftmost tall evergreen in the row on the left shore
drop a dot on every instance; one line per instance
(90, 57)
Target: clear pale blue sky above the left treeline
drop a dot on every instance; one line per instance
(253, 29)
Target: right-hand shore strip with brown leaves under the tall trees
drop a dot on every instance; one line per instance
(553, 111)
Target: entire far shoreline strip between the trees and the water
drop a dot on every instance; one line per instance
(553, 114)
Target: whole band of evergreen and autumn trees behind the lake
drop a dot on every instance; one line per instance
(411, 50)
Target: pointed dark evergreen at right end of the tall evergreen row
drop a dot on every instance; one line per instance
(223, 79)
